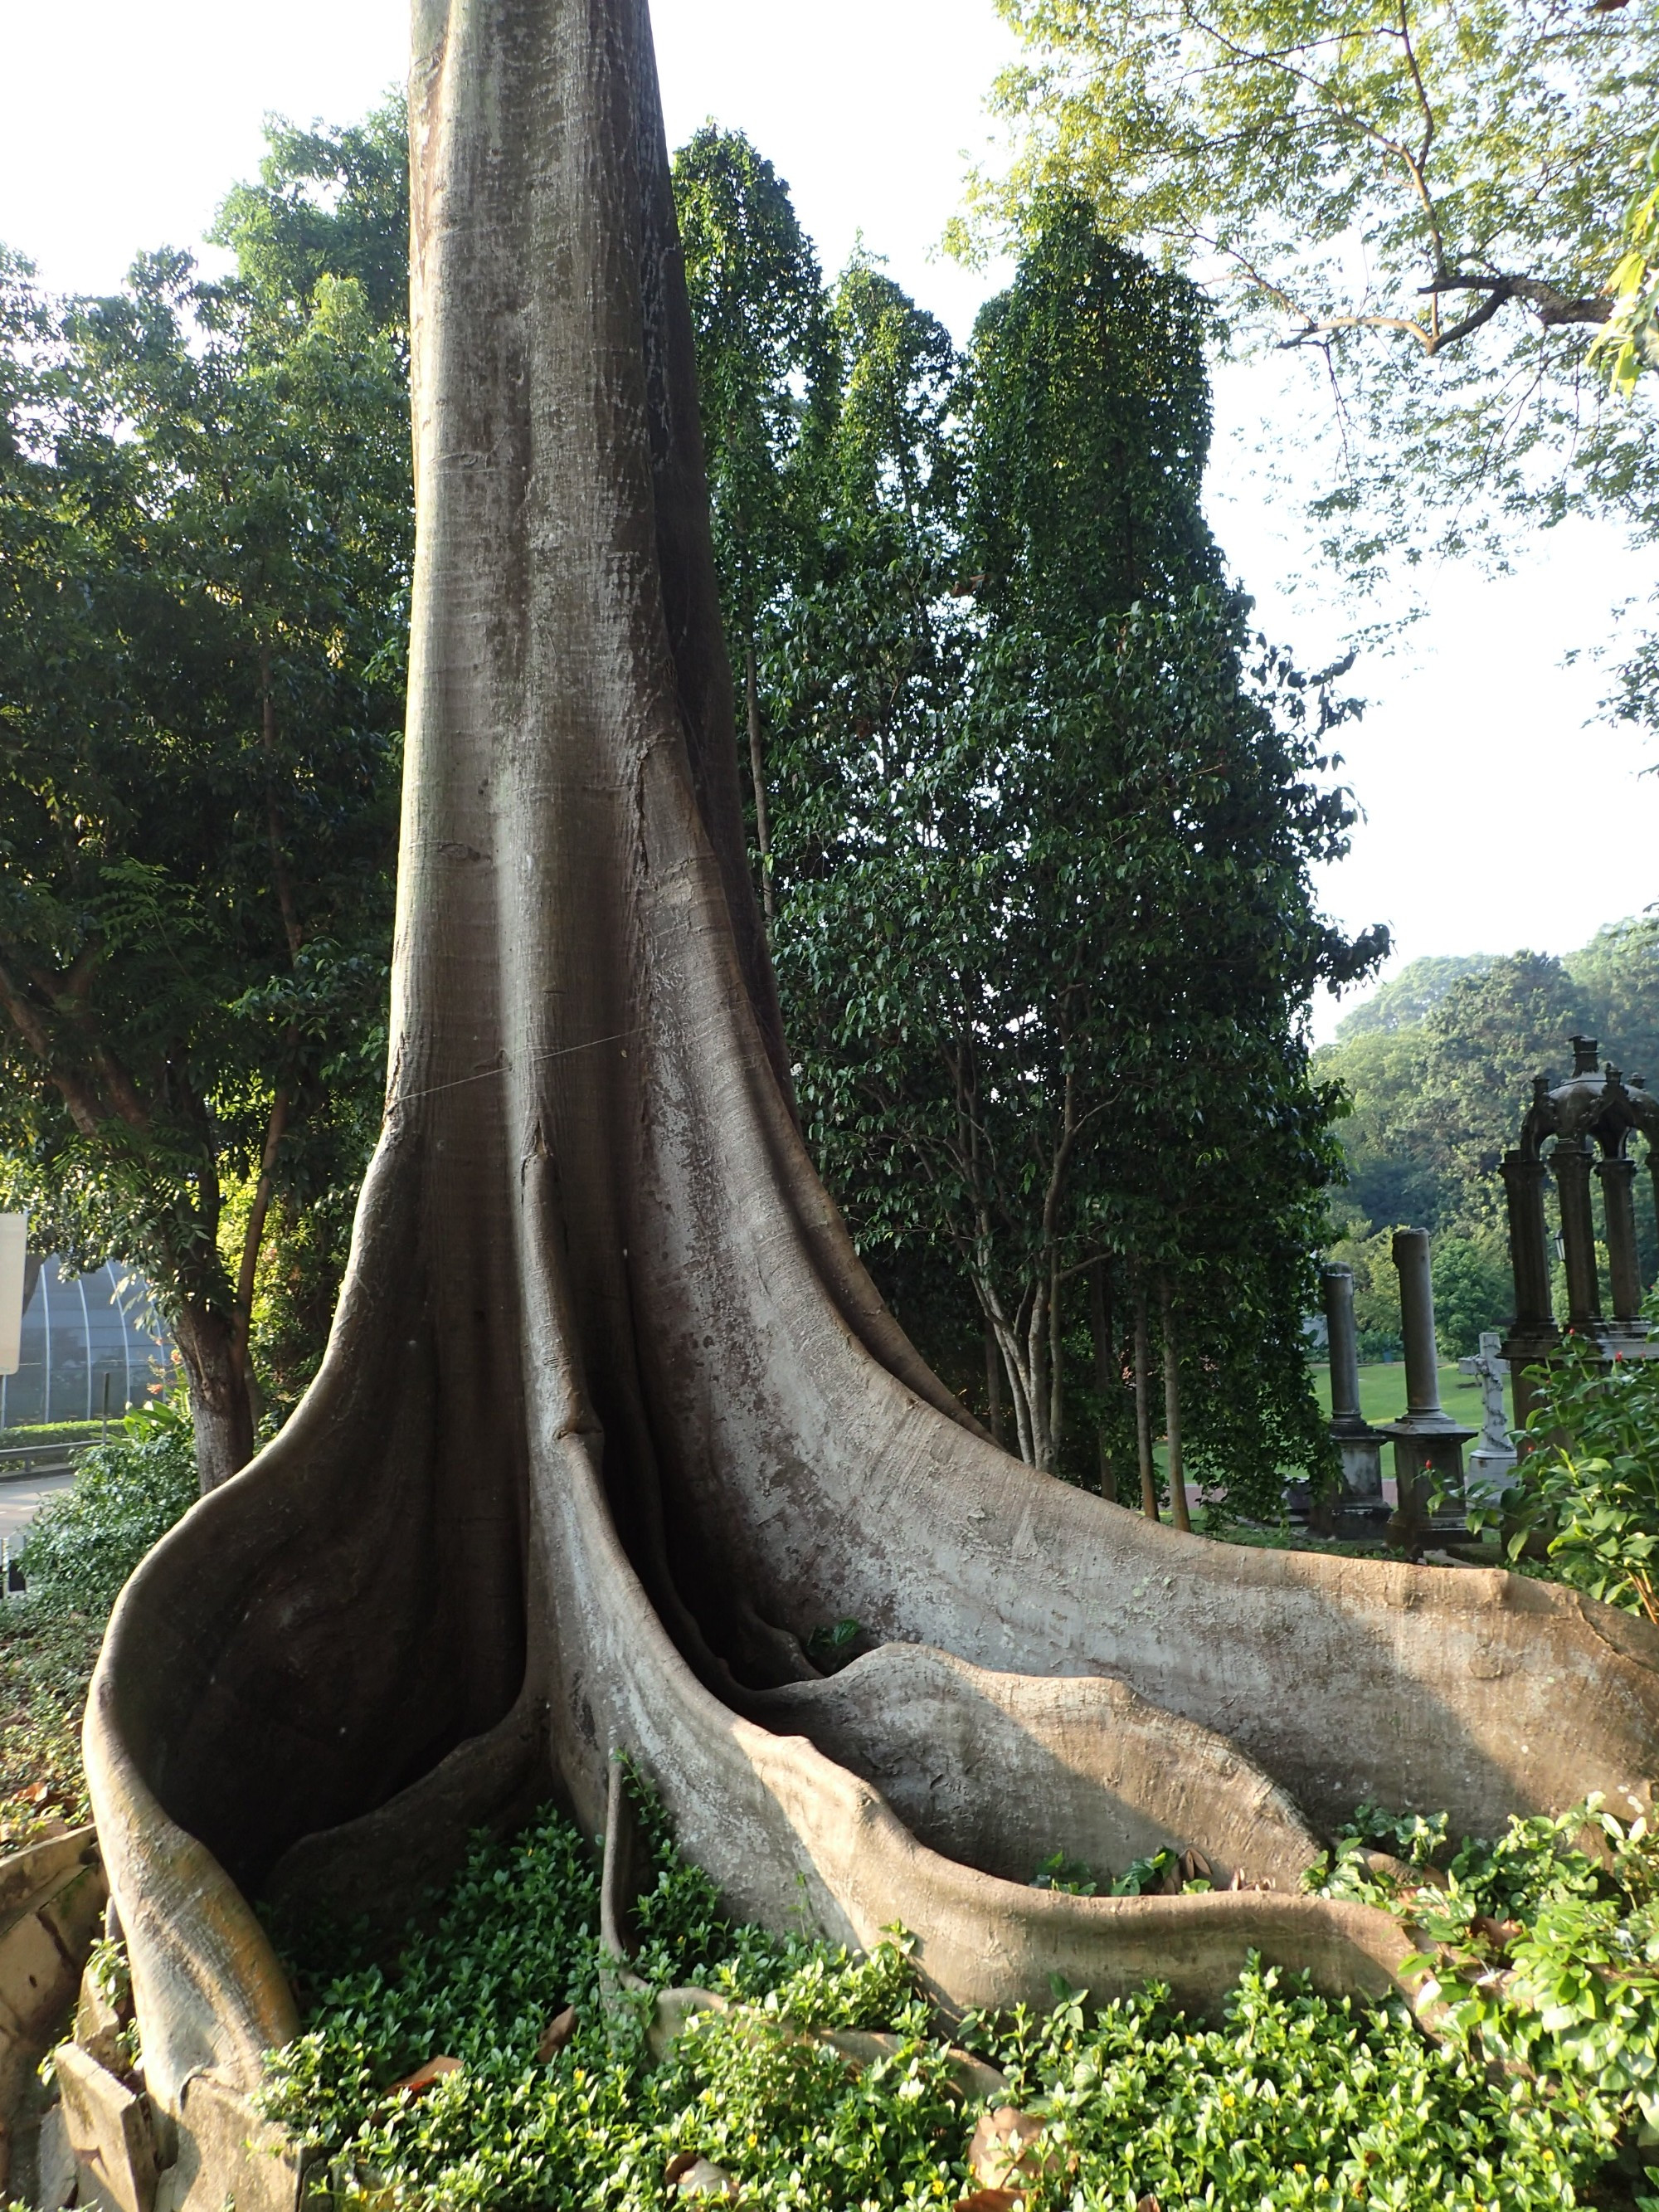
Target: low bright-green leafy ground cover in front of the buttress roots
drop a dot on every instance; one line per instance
(1286, 2100)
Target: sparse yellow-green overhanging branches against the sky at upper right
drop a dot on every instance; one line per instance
(1421, 198)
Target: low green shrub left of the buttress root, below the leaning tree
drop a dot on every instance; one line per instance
(127, 1494)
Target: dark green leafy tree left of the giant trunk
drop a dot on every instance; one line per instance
(205, 550)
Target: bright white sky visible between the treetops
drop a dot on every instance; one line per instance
(1494, 815)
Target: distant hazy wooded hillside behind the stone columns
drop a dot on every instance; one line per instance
(1439, 1070)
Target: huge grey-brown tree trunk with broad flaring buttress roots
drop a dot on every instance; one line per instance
(612, 1419)
